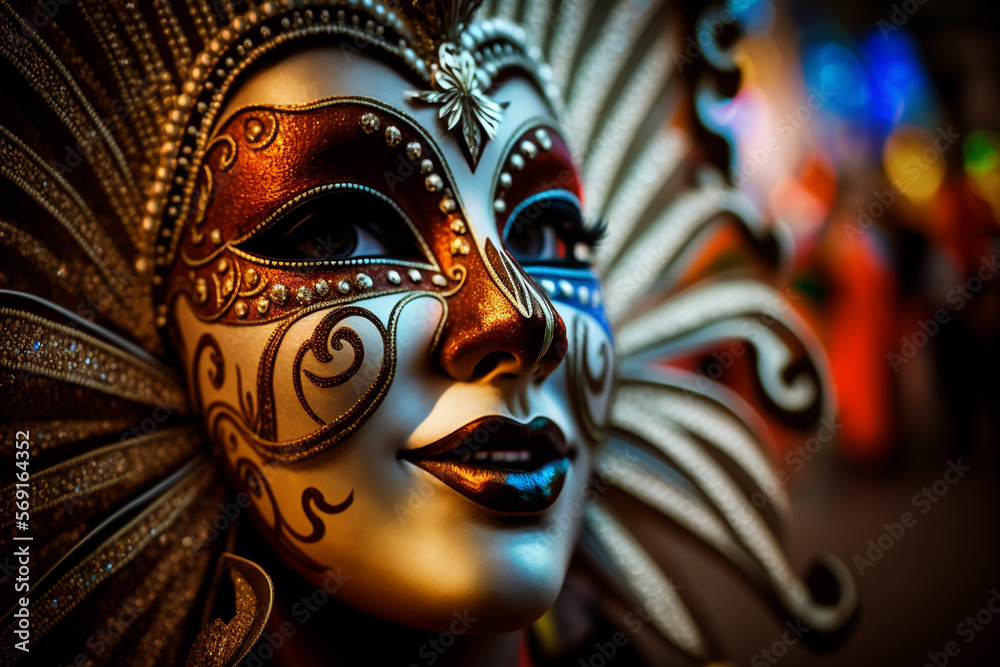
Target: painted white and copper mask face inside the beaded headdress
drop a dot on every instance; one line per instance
(402, 361)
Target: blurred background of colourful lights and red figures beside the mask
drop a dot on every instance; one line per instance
(871, 129)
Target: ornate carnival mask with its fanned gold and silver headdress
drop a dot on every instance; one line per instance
(355, 231)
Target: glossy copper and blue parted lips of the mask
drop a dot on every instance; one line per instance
(500, 463)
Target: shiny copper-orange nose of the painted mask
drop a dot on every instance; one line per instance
(499, 323)
